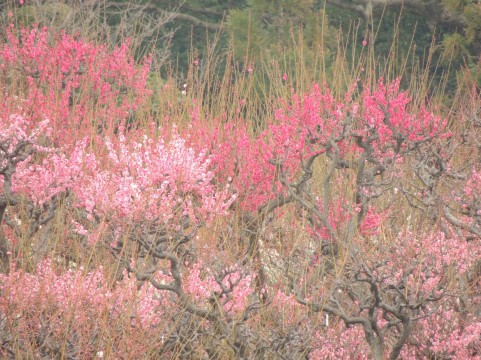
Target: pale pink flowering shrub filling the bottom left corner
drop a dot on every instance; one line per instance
(49, 308)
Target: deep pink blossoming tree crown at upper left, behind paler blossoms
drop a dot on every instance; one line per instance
(80, 87)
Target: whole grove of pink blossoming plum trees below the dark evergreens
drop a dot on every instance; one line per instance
(345, 226)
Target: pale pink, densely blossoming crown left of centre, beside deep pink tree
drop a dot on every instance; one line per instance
(150, 180)
